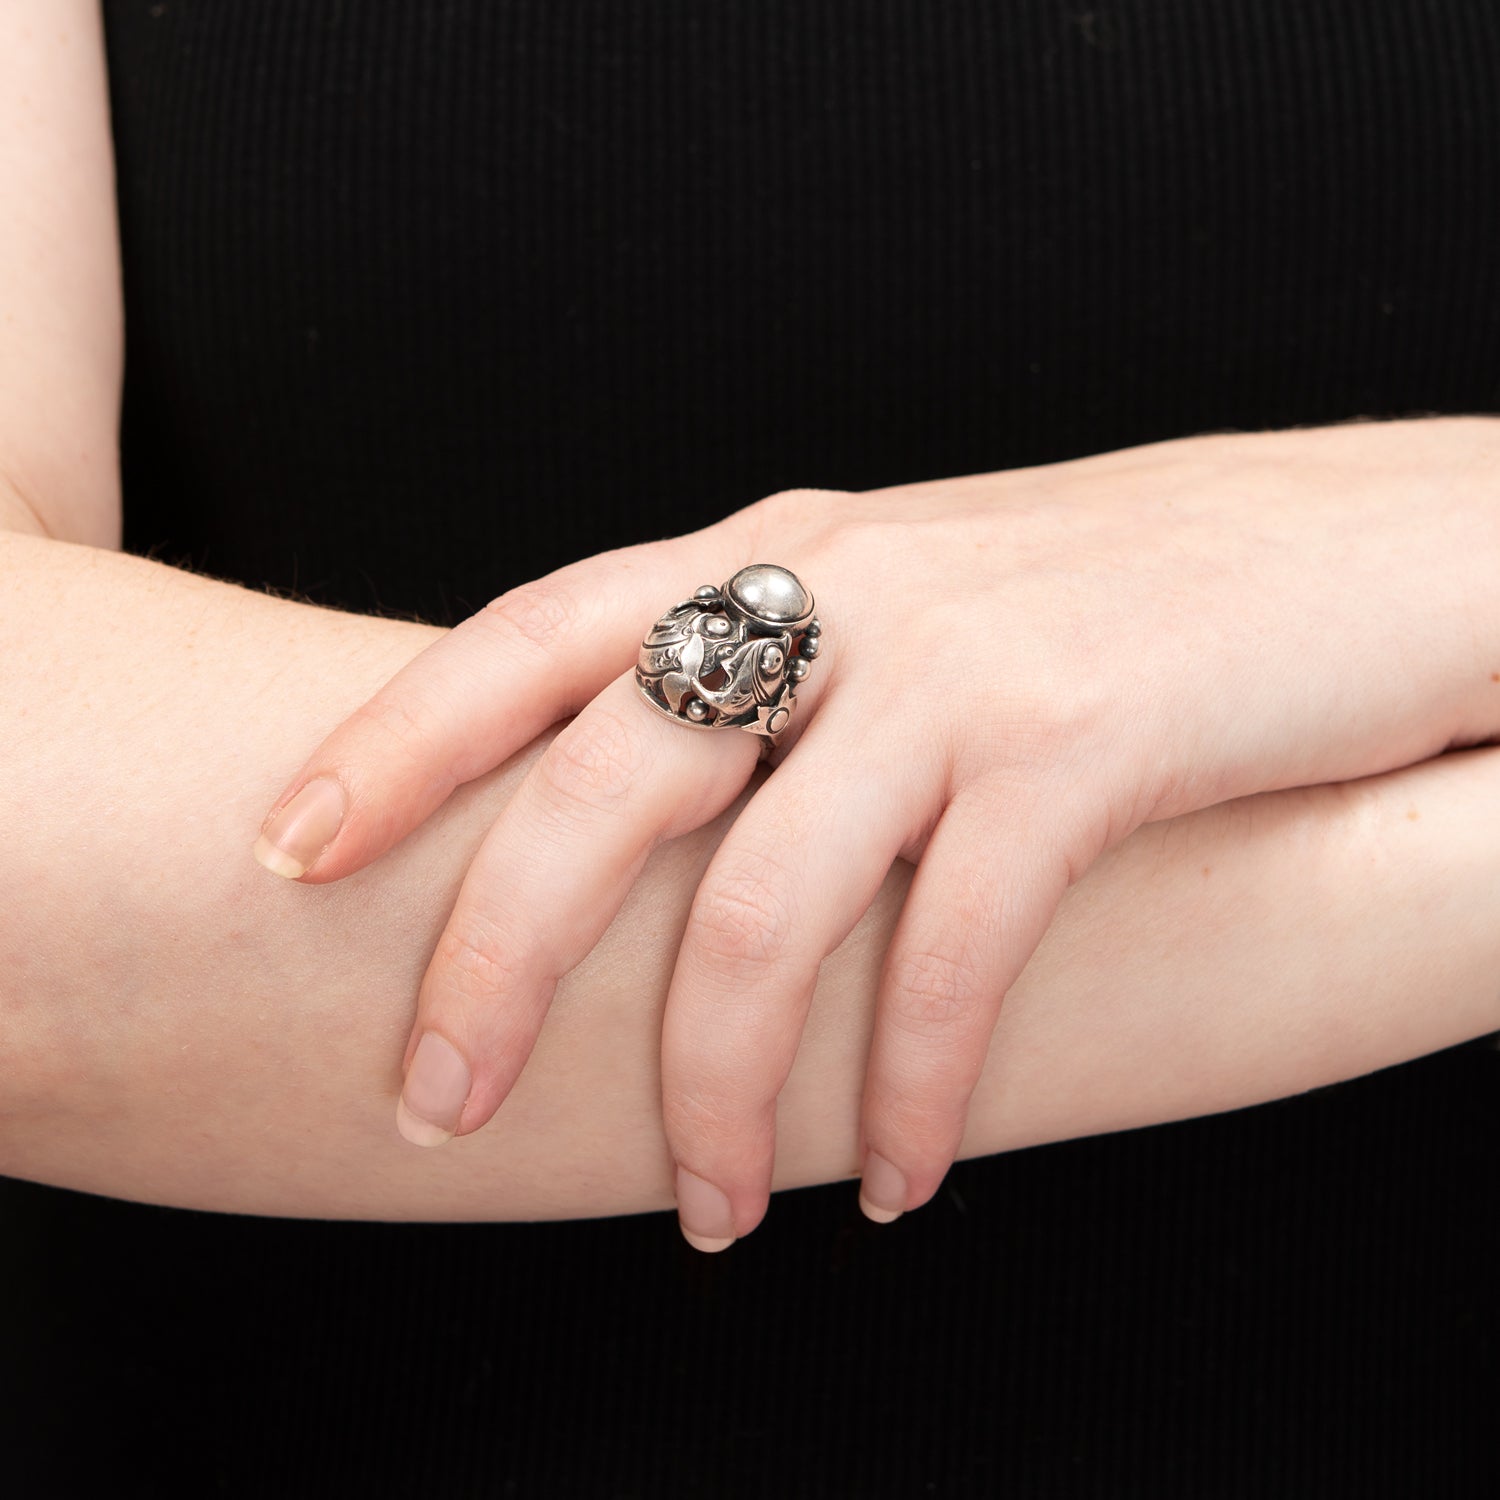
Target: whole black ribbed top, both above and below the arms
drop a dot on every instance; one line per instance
(427, 299)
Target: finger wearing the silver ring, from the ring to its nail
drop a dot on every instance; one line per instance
(548, 880)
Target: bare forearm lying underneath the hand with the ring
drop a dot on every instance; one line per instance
(181, 1027)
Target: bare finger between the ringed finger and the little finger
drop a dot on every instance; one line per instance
(797, 871)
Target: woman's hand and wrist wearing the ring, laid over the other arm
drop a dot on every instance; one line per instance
(1018, 671)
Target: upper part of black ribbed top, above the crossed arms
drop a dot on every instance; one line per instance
(428, 299)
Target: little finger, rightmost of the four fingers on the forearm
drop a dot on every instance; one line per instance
(988, 886)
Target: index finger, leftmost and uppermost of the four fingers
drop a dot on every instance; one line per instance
(473, 700)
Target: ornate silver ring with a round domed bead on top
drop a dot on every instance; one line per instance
(731, 658)
